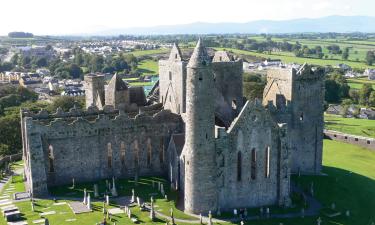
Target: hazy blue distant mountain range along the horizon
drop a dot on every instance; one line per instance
(339, 24)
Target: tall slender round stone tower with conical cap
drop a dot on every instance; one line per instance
(199, 149)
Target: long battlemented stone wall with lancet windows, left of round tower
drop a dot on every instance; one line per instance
(92, 148)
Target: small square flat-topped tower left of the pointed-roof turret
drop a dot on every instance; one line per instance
(94, 90)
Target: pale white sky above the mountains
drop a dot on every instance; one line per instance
(56, 17)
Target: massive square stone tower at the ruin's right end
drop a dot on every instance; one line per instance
(298, 96)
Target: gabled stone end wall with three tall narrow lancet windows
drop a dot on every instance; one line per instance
(253, 161)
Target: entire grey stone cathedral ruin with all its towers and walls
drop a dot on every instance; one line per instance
(195, 128)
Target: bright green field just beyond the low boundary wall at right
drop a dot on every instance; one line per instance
(354, 126)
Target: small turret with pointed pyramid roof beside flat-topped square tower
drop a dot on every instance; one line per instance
(117, 92)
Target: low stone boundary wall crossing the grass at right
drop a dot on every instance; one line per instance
(365, 142)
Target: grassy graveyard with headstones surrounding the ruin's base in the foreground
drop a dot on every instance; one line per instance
(345, 192)
